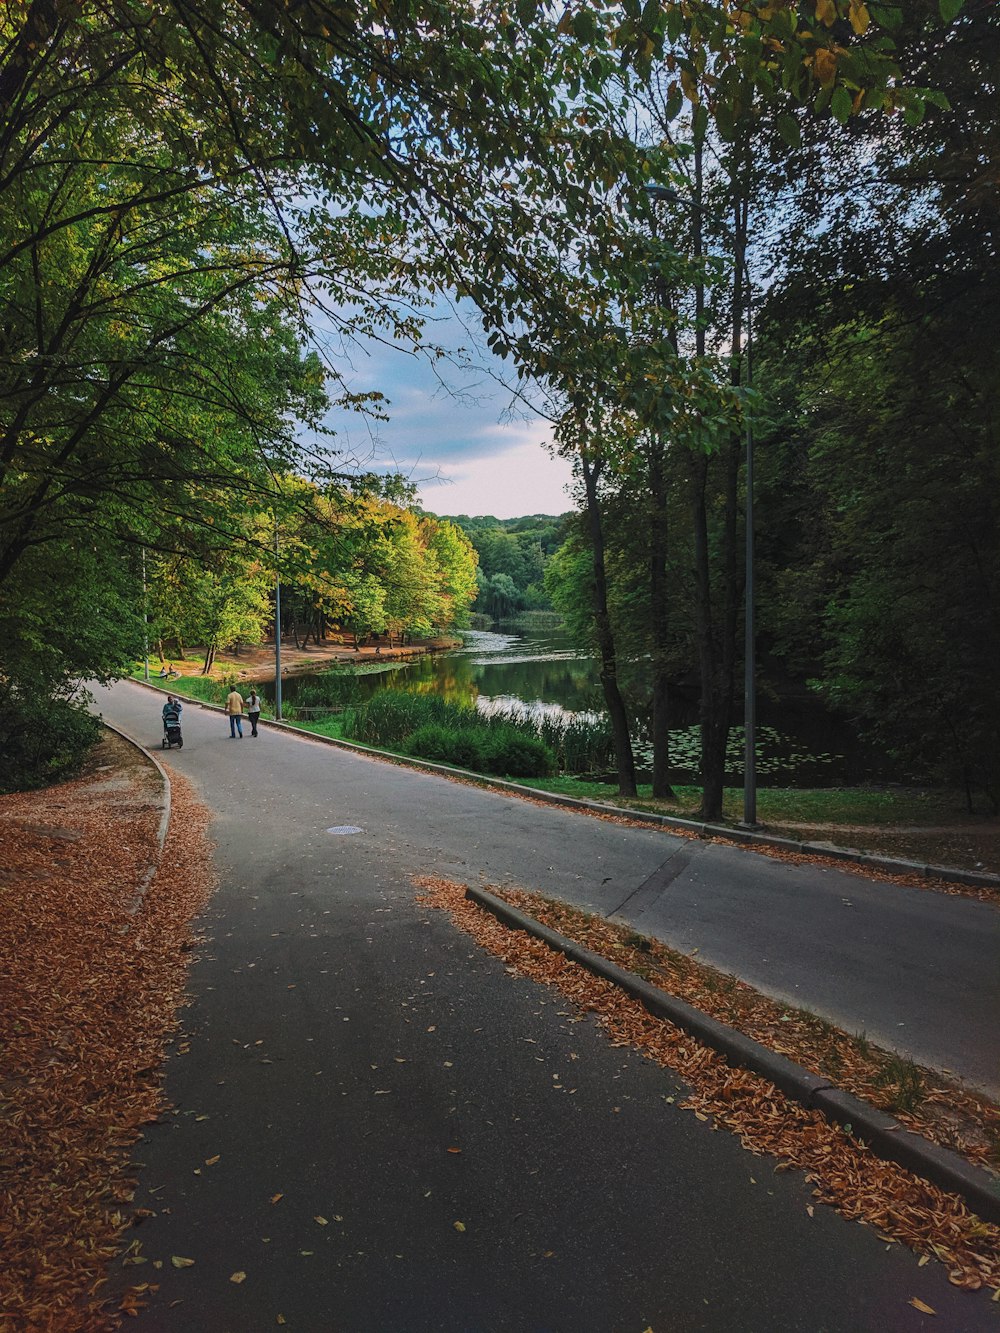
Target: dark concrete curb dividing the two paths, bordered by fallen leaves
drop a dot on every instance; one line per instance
(885, 1135)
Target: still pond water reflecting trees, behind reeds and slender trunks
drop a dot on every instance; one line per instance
(541, 671)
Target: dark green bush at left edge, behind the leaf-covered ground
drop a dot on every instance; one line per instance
(43, 742)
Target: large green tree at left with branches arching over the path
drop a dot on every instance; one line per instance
(163, 247)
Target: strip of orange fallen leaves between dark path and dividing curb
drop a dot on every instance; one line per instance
(846, 1176)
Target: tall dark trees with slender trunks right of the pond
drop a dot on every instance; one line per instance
(866, 255)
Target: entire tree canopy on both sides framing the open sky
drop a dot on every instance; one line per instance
(698, 235)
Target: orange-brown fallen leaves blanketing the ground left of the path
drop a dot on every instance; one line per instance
(89, 994)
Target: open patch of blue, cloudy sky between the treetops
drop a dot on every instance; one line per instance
(453, 431)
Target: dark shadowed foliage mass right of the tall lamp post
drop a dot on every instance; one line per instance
(883, 393)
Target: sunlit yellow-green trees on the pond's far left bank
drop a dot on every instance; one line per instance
(350, 562)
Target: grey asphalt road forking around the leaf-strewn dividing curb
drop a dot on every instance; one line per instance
(345, 1042)
